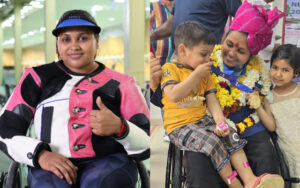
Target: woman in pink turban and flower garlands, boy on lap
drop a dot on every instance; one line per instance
(236, 71)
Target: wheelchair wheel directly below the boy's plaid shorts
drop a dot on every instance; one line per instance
(175, 173)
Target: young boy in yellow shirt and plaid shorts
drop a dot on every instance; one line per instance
(187, 89)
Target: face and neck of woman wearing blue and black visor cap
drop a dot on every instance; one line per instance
(77, 47)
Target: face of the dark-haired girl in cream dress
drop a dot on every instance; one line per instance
(281, 72)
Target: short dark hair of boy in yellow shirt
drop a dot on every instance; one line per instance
(192, 33)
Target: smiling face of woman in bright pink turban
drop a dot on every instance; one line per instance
(235, 51)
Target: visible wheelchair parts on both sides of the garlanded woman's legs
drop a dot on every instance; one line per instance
(176, 171)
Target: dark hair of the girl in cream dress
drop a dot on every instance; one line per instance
(290, 53)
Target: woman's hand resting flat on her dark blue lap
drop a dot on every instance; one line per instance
(58, 164)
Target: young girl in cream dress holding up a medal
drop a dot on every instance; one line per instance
(282, 106)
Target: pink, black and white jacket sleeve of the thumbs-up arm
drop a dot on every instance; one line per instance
(136, 117)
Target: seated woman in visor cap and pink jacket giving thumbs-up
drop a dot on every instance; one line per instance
(88, 119)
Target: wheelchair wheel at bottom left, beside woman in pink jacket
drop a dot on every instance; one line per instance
(14, 176)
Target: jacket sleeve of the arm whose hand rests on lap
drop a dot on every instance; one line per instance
(15, 120)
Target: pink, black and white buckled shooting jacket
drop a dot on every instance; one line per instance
(59, 102)
